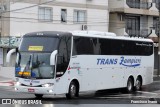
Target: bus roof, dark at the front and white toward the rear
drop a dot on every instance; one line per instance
(96, 34)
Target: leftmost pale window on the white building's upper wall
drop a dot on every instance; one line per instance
(45, 14)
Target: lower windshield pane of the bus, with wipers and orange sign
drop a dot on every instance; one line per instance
(34, 65)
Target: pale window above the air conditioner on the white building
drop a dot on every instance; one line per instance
(80, 16)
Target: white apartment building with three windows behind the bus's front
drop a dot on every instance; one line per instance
(22, 16)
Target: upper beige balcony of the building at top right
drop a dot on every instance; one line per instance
(130, 7)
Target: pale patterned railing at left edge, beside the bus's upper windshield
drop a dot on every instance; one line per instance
(9, 41)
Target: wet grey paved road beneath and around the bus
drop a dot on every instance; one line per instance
(149, 94)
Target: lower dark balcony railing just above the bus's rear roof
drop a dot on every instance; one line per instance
(139, 33)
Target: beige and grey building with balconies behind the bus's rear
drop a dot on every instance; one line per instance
(135, 18)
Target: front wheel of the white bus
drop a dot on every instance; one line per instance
(72, 92)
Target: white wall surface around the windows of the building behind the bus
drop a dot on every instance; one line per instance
(26, 20)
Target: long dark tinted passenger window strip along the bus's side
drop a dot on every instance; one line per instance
(98, 46)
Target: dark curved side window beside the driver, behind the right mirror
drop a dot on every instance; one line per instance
(63, 56)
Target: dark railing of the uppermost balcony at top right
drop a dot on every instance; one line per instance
(139, 5)
